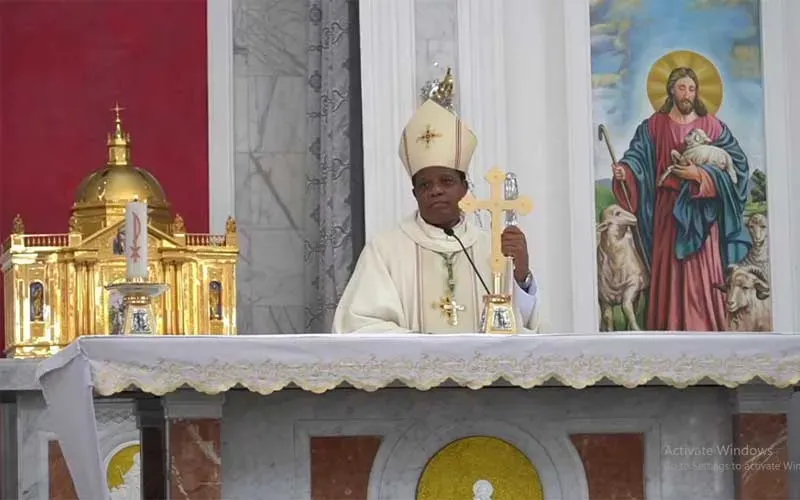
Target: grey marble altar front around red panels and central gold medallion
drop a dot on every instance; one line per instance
(265, 439)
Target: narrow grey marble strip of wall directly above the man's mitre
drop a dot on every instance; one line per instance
(436, 39)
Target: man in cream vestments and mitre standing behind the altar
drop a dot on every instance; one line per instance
(417, 277)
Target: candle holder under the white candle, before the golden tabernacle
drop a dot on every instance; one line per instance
(137, 303)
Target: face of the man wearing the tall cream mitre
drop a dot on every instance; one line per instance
(438, 191)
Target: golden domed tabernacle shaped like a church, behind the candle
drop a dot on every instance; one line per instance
(55, 284)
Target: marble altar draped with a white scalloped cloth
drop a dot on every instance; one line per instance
(388, 416)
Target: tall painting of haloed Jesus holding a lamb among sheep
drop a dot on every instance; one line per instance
(678, 210)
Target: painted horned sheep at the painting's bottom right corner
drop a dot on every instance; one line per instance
(748, 301)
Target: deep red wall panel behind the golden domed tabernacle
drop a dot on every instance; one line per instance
(63, 65)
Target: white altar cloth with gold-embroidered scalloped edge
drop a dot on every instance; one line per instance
(318, 363)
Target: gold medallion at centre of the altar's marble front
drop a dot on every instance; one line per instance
(456, 471)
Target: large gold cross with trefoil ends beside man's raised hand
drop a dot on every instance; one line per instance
(497, 206)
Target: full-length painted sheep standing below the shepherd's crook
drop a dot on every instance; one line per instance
(621, 275)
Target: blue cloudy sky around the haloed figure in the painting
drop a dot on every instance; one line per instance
(628, 36)
